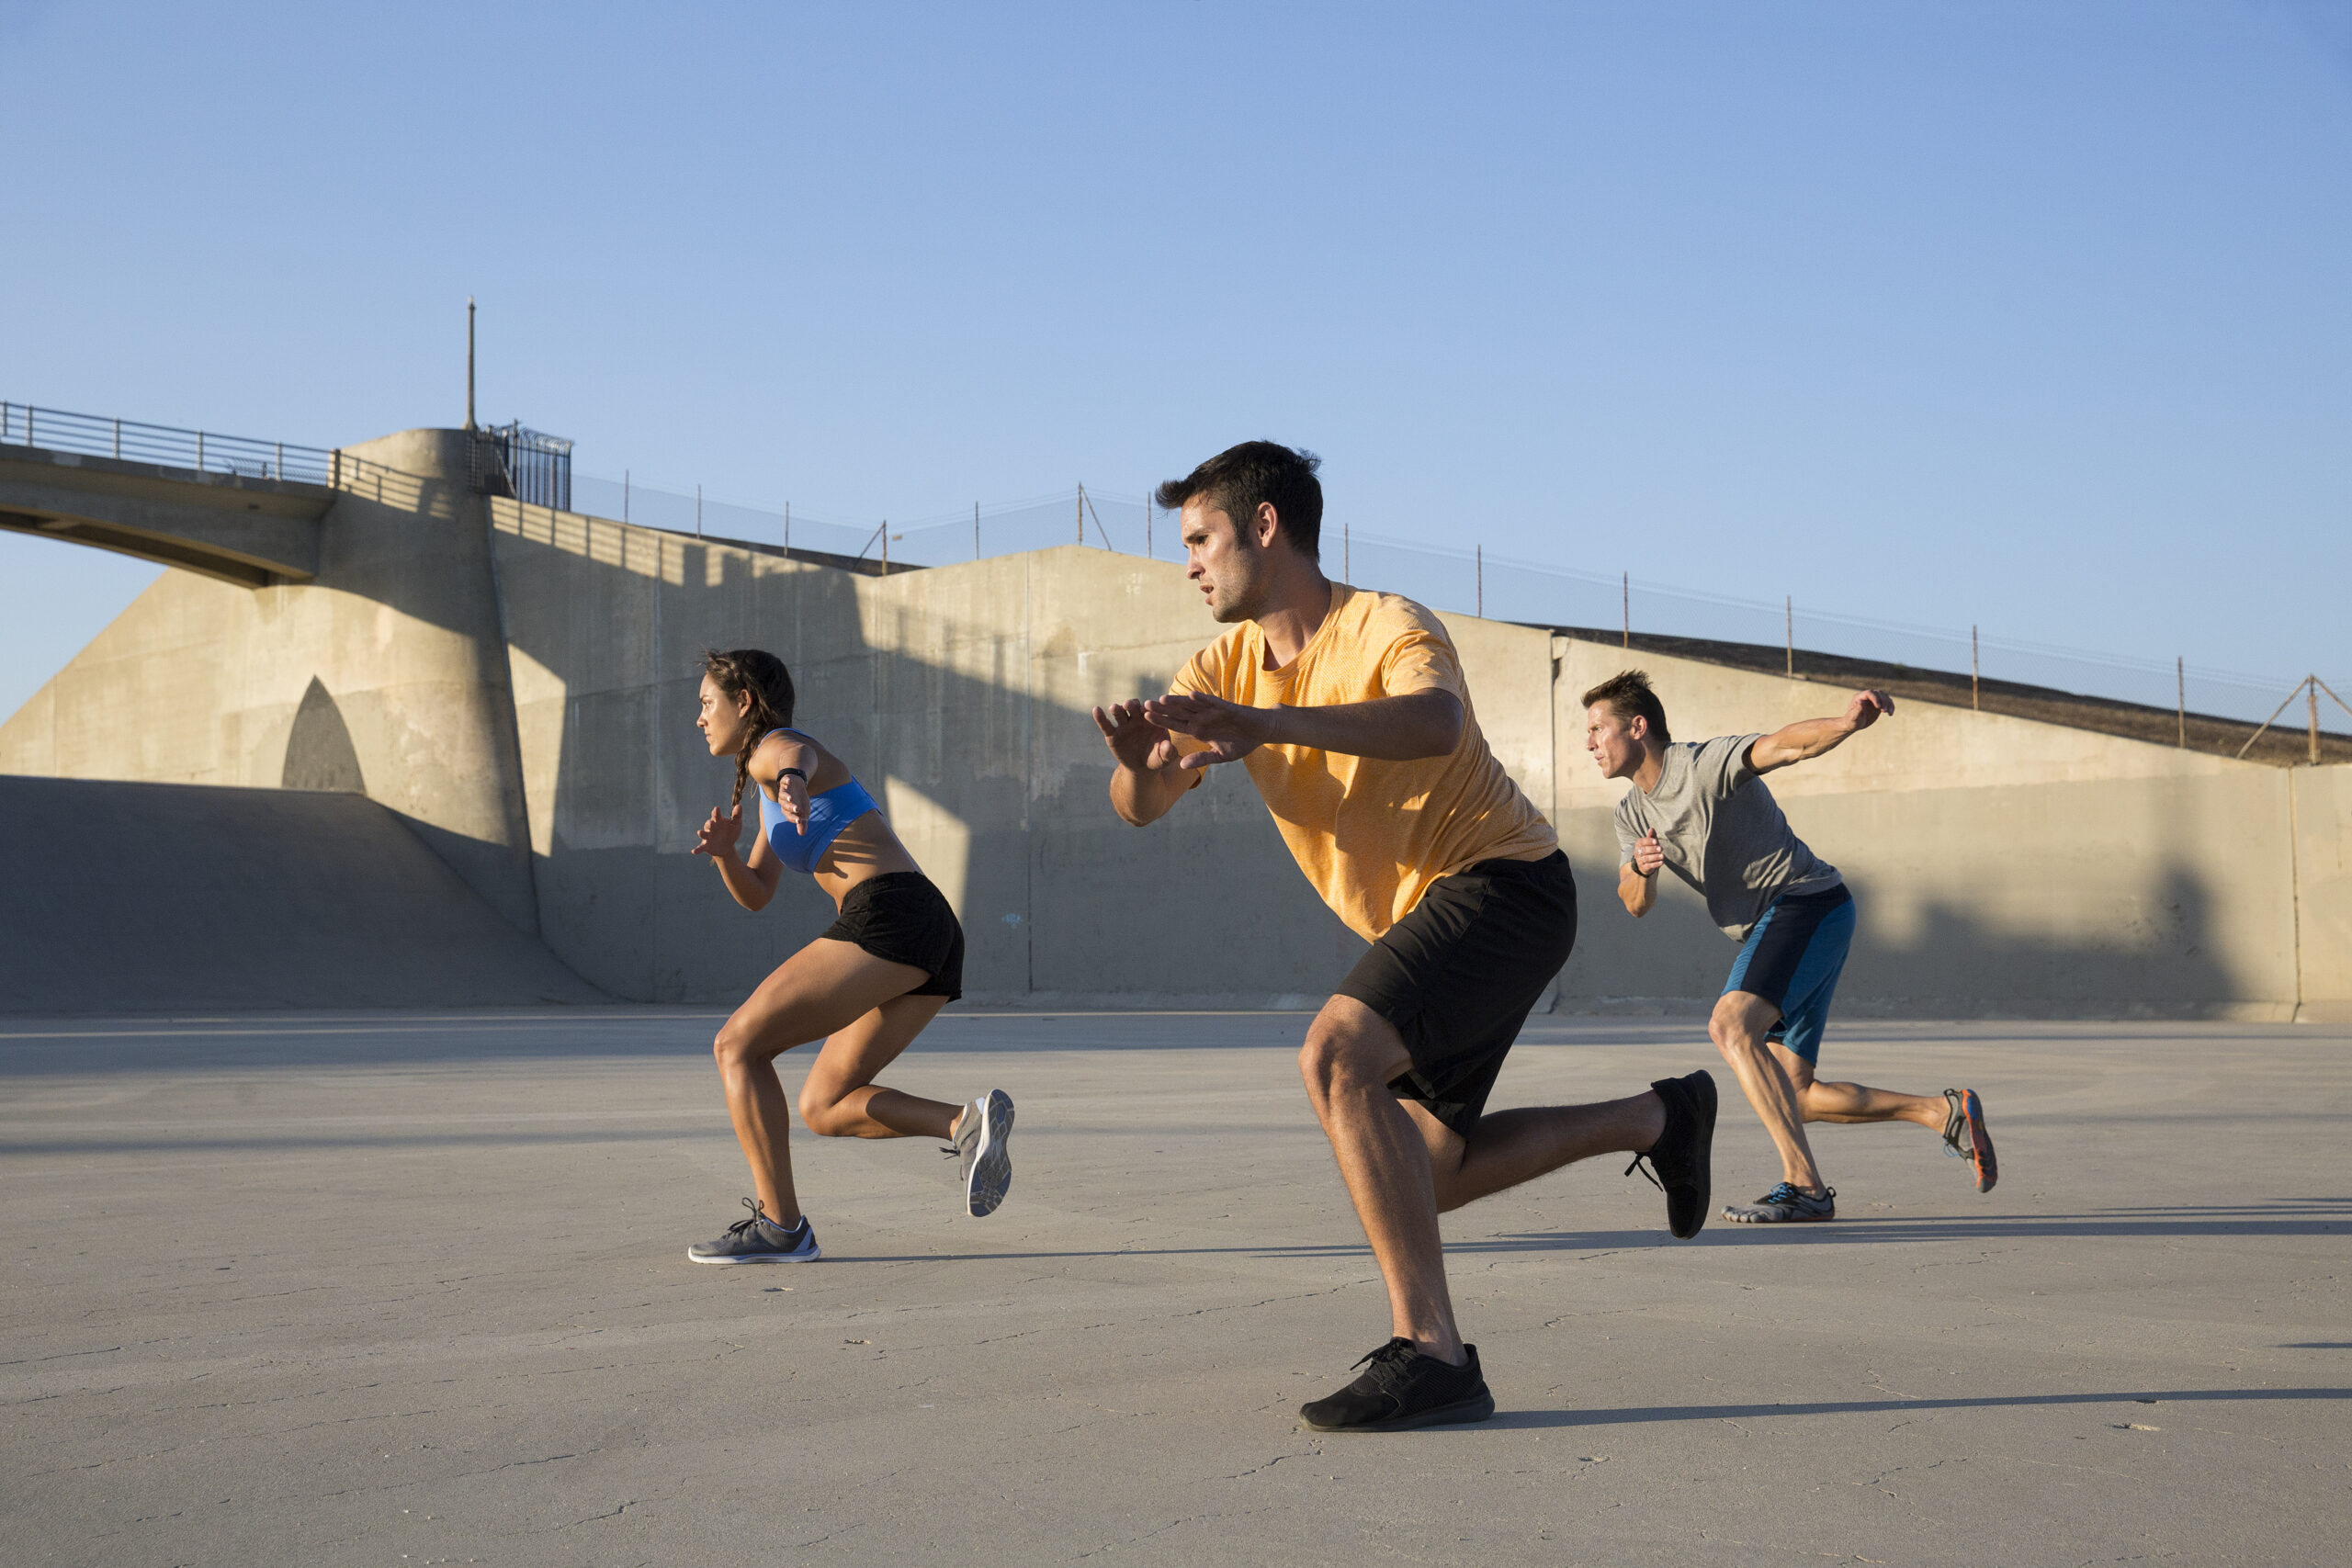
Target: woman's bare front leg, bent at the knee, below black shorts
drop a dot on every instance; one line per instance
(820, 991)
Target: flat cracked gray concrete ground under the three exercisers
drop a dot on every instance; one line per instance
(413, 1289)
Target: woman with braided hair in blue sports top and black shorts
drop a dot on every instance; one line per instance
(867, 986)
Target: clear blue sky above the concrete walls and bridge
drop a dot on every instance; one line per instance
(2033, 316)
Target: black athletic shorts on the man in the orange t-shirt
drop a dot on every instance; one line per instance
(1462, 972)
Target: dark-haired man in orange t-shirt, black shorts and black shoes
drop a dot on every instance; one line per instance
(1351, 713)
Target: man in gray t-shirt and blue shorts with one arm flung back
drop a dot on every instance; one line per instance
(1702, 810)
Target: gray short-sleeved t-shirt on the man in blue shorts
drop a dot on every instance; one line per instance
(1723, 833)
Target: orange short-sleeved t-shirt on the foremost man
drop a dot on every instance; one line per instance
(1372, 836)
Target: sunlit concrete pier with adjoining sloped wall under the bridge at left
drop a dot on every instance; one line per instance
(387, 674)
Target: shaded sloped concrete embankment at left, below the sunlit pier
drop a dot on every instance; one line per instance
(135, 897)
